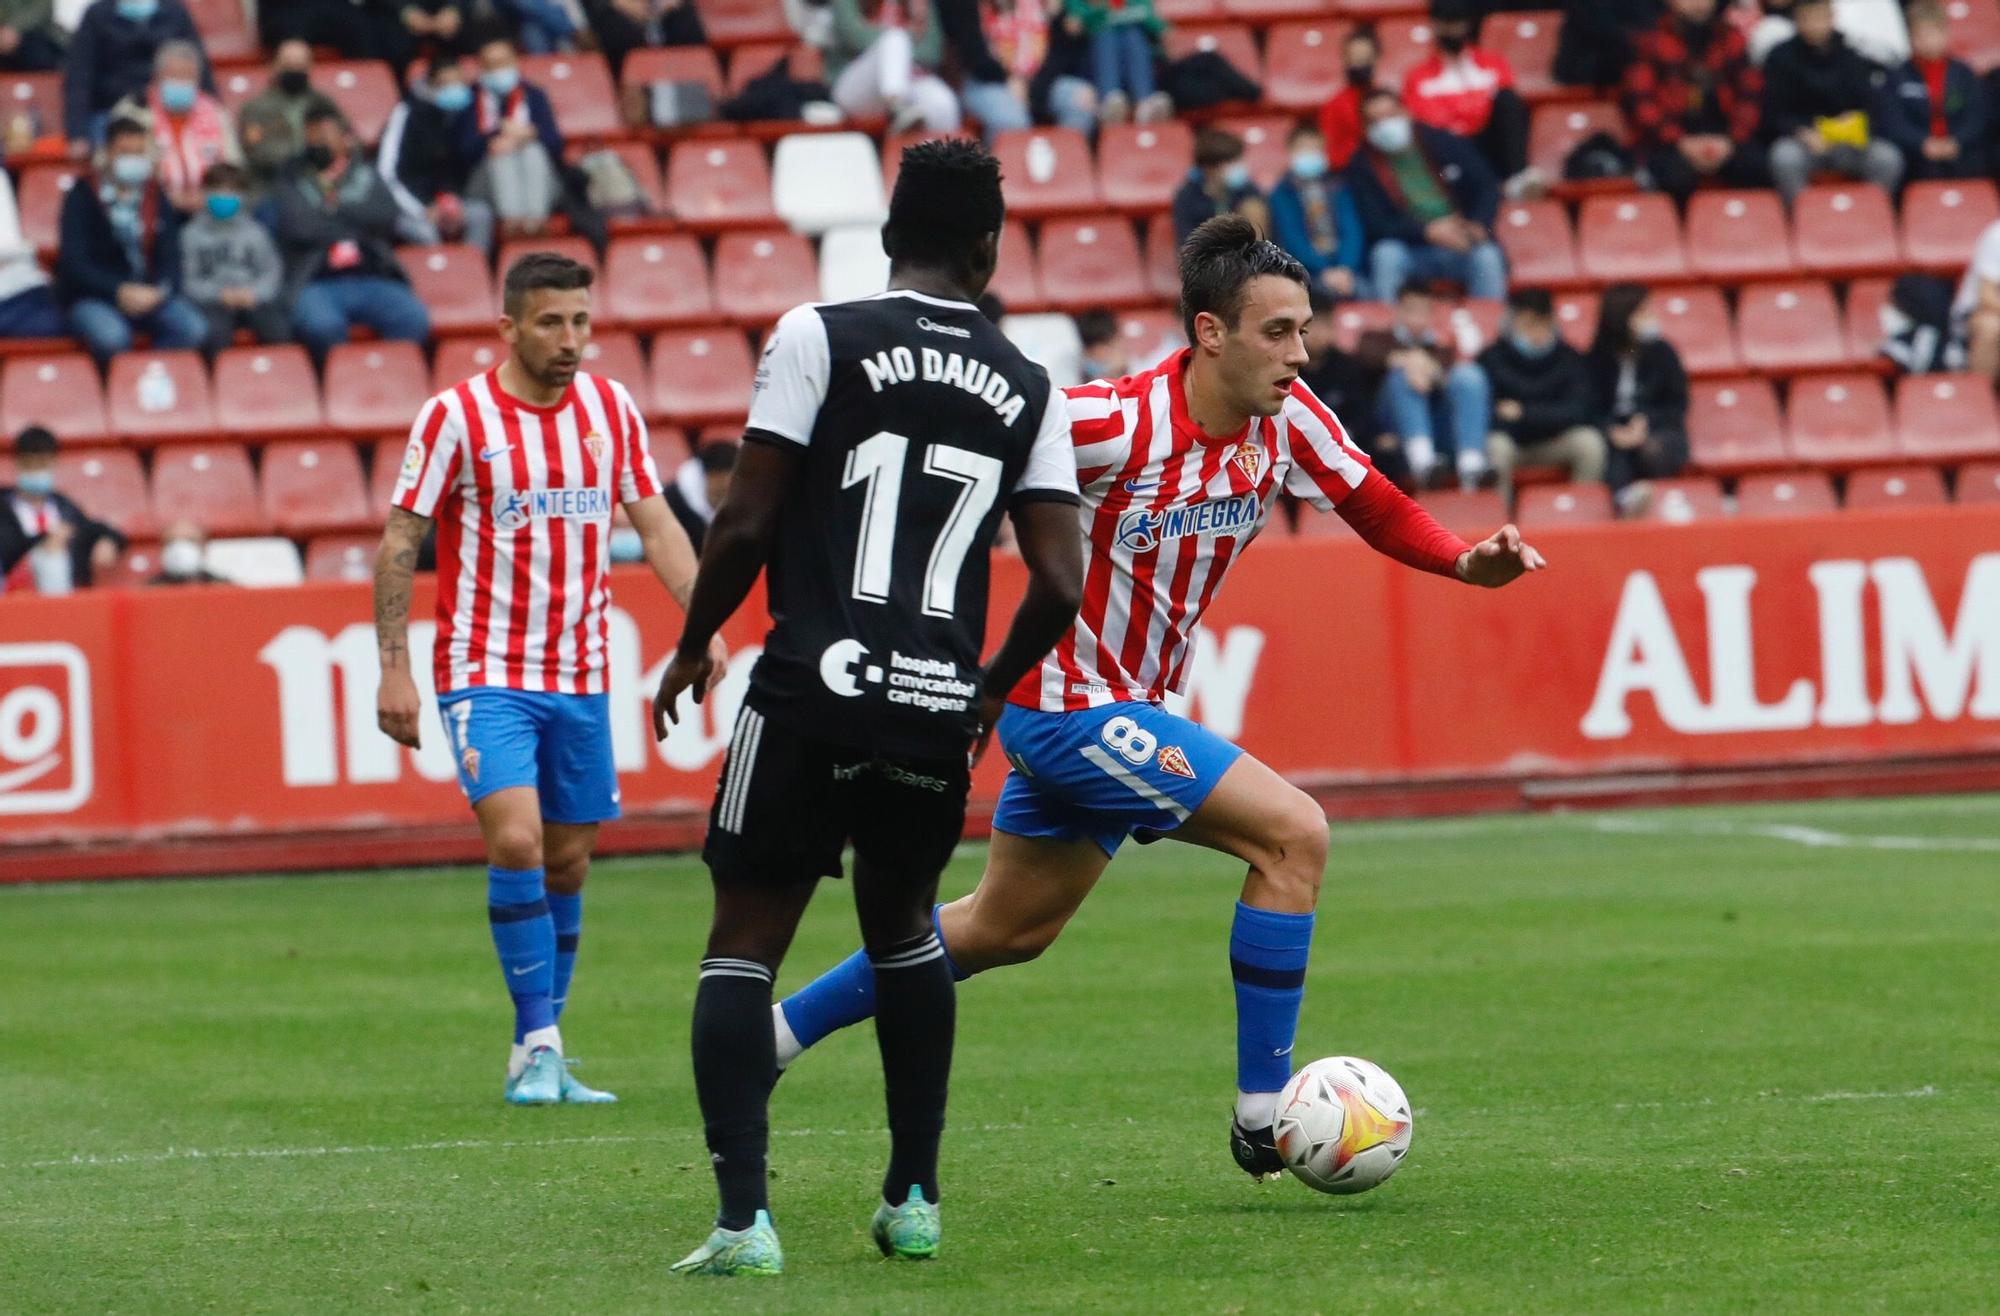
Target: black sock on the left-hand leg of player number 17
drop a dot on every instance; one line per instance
(735, 1059)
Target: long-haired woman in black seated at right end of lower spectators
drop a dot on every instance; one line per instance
(1639, 385)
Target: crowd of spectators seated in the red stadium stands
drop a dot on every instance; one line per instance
(211, 213)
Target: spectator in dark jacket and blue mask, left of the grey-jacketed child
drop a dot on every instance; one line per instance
(119, 255)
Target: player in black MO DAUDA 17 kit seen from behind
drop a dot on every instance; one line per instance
(887, 437)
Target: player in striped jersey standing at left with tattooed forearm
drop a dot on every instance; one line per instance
(521, 469)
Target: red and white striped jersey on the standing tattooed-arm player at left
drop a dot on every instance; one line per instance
(523, 497)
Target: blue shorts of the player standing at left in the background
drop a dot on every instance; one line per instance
(557, 743)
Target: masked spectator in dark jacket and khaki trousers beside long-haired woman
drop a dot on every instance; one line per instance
(1543, 399)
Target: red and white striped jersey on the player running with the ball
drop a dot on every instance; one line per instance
(1167, 511)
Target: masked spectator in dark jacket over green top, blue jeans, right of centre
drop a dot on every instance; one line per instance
(1427, 203)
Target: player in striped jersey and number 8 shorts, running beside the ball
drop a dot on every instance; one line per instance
(1179, 469)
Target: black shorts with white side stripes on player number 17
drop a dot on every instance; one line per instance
(789, 805)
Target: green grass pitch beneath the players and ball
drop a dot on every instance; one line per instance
(1703, 1061)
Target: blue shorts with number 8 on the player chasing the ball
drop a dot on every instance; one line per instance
(1107, 773)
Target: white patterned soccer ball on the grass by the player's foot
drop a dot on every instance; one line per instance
(1343, 1125)
